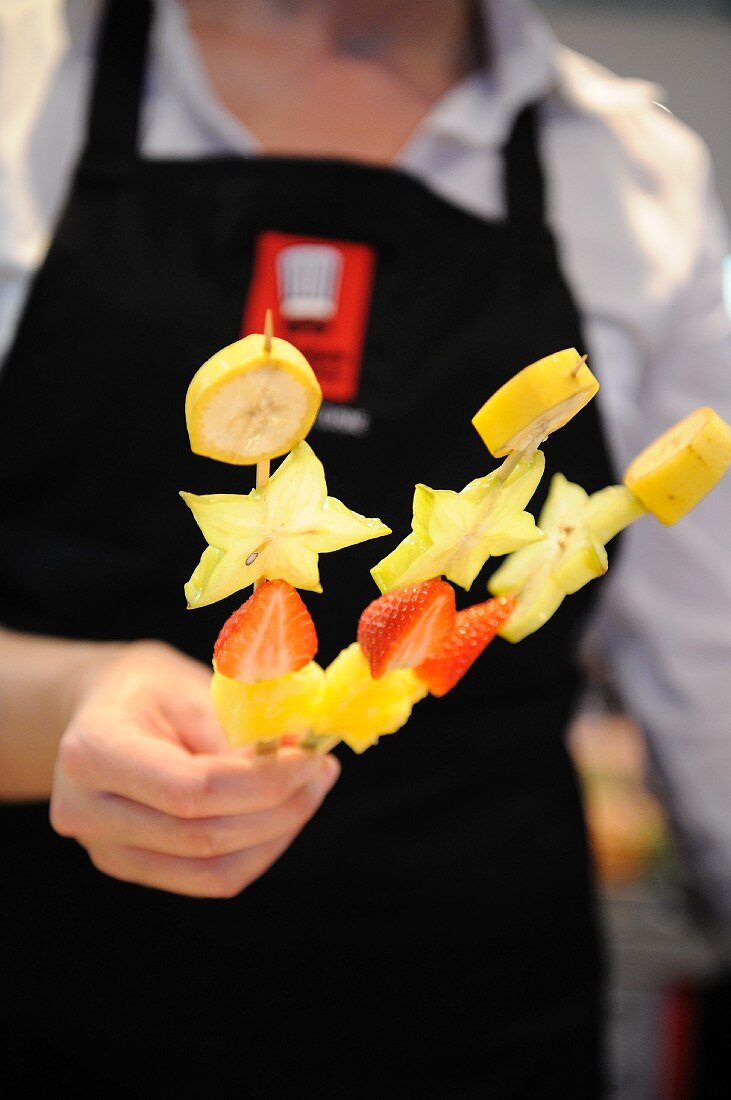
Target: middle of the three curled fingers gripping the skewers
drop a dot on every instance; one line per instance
(108, 821)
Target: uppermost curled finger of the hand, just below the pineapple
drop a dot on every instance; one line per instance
(164, 777)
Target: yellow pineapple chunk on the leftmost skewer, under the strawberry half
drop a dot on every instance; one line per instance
(268, 710)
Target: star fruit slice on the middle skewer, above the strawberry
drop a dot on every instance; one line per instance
(455, 534)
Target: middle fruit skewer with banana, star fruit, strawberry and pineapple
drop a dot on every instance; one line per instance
(412, 641)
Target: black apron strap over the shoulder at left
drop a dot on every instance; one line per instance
(121, 59)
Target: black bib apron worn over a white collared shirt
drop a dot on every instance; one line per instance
(431, 932)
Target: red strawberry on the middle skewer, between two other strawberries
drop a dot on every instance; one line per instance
(401, 630)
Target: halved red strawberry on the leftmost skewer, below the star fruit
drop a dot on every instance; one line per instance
(271, 635)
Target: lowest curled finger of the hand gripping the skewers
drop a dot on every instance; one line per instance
(216, 877)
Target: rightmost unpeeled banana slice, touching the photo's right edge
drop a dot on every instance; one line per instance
(678, 470)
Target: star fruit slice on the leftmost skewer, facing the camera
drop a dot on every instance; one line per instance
(275, 533)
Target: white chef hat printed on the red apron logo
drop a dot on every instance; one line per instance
(309, 278)
